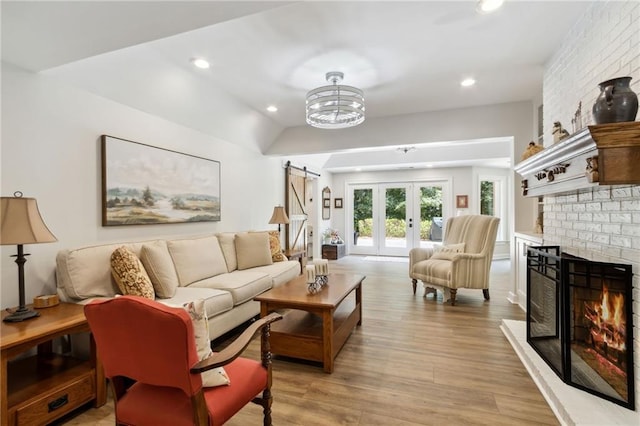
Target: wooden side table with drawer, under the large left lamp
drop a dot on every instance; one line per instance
(41, 388)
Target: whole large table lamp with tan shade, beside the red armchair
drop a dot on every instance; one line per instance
(21, 223)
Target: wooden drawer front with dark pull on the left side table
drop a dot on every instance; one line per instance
(51, 406)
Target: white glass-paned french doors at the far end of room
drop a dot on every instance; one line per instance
(389, 219)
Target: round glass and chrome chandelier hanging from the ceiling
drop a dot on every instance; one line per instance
(335, 106)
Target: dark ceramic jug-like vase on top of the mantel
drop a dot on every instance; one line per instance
(616, 102)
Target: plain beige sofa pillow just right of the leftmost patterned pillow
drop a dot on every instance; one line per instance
(158, 263)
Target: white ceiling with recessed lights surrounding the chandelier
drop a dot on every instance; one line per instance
(408, 57)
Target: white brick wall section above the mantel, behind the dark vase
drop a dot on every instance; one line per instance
(604, 44)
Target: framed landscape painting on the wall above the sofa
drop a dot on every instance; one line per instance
(142, 184)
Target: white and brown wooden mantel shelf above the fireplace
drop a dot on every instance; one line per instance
(604, 154)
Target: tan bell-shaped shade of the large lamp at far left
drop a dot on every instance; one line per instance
(21, 223)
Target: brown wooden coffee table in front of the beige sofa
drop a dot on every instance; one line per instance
(317, 325)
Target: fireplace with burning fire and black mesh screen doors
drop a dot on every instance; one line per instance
(579, 321)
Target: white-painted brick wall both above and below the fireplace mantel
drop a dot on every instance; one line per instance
(600, 224)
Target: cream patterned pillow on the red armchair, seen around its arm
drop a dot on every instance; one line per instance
(217, 376)
